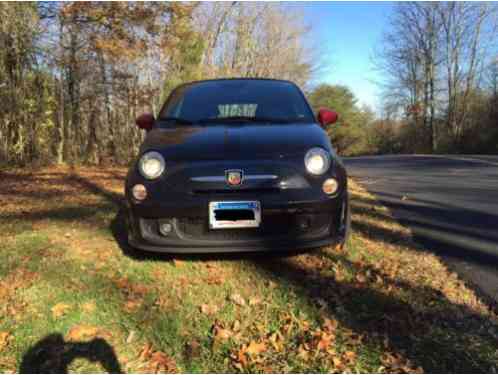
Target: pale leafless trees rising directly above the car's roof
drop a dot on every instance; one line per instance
(254, 40)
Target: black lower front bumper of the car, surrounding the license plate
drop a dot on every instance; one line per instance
(286, 225)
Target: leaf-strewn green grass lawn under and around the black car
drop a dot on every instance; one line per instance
(74, 297)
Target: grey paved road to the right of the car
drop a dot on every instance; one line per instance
(450, 203)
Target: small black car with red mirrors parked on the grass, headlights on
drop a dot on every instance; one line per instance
(236, 165)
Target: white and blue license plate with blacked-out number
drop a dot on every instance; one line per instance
(240, 214)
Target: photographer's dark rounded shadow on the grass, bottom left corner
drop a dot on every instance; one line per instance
(54, 355)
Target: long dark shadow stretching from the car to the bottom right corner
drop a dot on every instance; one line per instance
(440, 338)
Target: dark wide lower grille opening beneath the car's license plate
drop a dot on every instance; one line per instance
(272, 227)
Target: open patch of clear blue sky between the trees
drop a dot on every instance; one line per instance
(348, 32)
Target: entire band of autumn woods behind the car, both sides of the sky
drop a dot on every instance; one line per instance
(74, 75)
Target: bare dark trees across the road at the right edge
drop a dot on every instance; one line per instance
(441, 64)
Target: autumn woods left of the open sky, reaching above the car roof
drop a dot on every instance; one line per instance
(73, 76)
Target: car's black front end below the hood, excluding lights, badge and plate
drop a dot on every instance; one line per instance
(288, 201)
